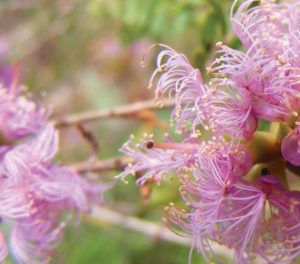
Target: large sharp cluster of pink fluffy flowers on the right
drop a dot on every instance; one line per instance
(217, 123)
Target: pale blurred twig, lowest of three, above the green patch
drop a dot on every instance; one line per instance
(156, 231)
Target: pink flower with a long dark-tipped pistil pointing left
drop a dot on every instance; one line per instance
(156, 160)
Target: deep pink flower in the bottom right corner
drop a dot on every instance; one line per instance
(280, 235)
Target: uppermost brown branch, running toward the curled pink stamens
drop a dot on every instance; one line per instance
(119, 111)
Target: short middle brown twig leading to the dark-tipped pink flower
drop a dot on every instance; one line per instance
(118, 163)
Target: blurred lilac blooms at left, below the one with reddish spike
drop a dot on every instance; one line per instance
(36, 194)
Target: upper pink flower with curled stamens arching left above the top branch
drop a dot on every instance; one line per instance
(179, 80)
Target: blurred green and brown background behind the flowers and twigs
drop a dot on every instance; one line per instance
(80, 55)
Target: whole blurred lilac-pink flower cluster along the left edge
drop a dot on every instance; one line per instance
(37, 196)
